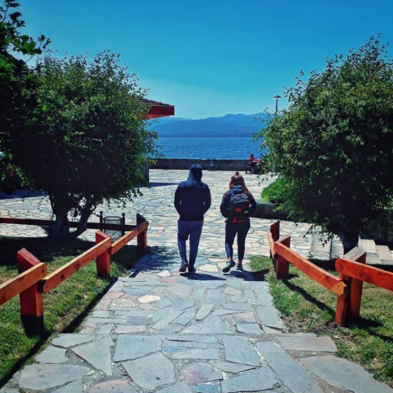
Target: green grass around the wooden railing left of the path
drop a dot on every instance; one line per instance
(64, 307)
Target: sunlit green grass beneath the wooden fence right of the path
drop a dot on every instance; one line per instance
(308, 307)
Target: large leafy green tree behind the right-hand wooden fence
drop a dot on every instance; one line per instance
(333, 146)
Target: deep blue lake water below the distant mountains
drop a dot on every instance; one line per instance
(224, 148)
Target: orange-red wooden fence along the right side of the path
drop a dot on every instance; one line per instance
(347, 287)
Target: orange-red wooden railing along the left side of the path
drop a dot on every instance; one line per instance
(33, 281)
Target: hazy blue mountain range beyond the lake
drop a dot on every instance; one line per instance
(230, 125)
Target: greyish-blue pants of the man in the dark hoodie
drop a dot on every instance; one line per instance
(192, 229)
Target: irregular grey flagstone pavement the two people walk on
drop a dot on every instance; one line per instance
(162, 331)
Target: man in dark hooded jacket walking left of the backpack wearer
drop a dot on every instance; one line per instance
(192, 201)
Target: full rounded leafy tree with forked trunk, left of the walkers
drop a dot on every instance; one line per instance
(88, 139)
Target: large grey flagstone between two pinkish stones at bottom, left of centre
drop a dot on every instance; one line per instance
(151, 372)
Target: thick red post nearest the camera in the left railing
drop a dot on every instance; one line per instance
(31, 300)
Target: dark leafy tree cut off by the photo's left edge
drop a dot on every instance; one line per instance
(16, 79)
